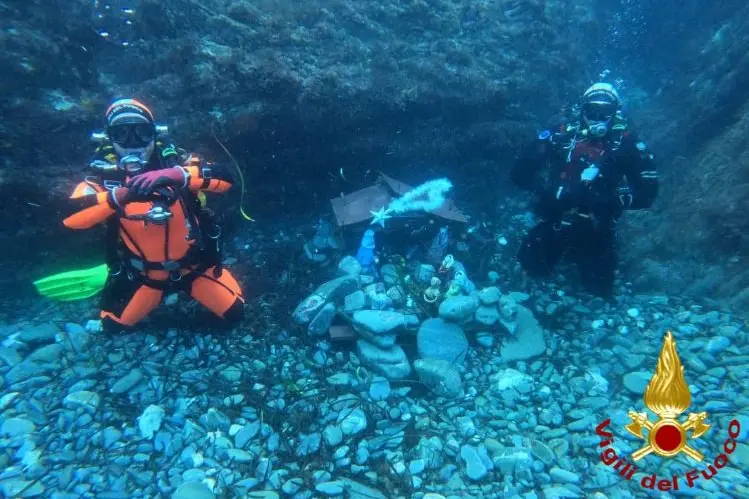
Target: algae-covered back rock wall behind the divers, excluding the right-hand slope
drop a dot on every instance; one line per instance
(296, 86)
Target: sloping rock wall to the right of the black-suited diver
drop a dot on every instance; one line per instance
(696, 239)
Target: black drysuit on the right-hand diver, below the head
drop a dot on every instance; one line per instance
(582, 186)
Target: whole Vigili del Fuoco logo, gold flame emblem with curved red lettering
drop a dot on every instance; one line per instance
(667, 396)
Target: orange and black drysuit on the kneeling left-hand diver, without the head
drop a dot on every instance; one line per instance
(177, 253)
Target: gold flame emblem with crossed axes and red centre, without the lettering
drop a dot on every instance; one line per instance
(667, 395)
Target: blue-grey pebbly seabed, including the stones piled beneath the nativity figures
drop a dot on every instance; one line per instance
(476, 400)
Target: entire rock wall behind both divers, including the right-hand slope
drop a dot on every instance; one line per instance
(312, 96)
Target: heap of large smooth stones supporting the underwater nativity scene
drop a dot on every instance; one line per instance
(379, 310)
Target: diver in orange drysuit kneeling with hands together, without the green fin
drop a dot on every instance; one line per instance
(160, 238)
